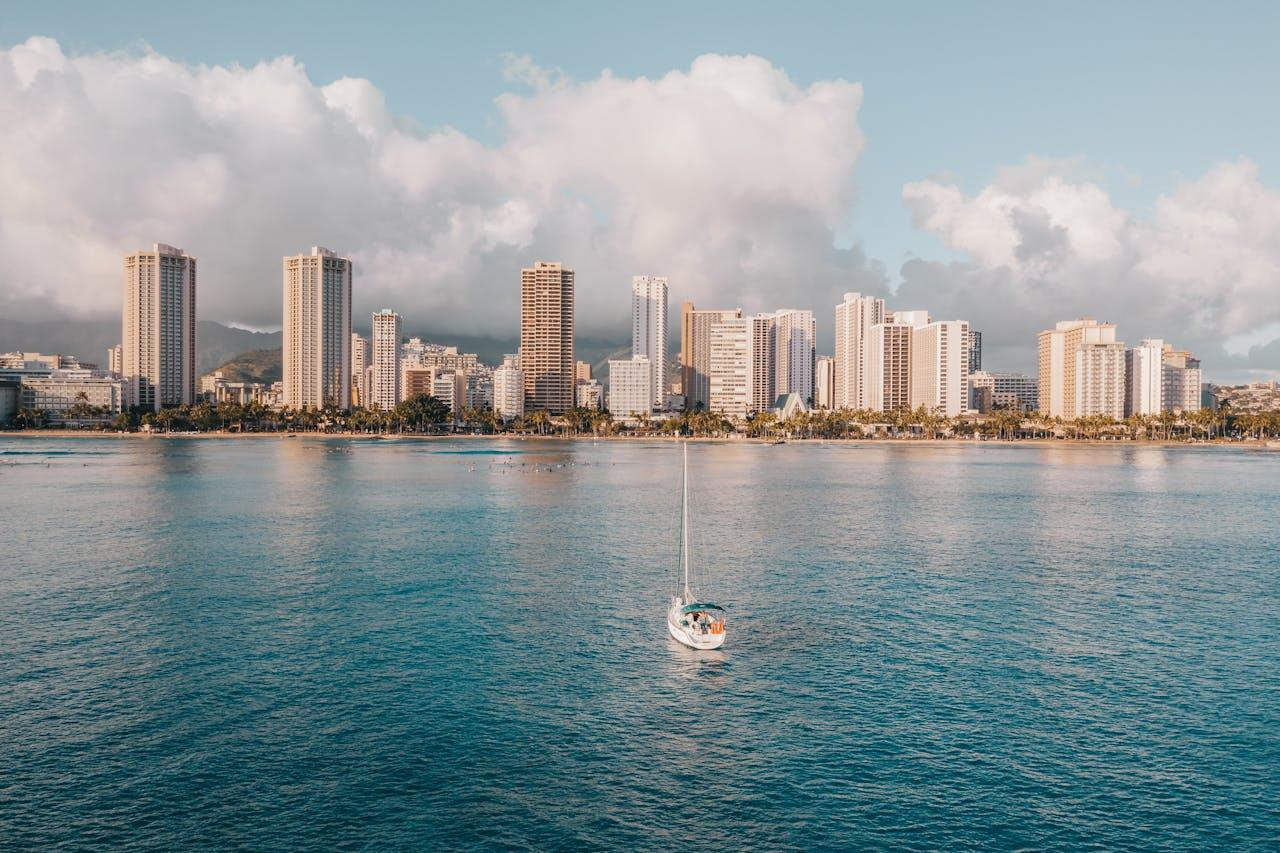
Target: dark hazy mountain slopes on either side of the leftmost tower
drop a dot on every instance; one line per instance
(89, 340)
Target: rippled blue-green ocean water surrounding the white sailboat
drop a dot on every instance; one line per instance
(285, 645)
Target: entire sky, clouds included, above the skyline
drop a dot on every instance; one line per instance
(1009, 165)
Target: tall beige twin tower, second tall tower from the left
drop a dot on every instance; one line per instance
(317, 354)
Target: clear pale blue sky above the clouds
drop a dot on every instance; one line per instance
(1149, 93)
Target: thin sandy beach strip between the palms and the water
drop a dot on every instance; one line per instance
(918, 443)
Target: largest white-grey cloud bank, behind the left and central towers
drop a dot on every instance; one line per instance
(729, 177)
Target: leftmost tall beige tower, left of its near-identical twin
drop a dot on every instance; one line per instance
(158, 346)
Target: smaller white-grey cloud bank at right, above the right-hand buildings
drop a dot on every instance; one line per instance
(1046, 243)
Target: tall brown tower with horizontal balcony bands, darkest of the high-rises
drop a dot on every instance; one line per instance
(547, 336)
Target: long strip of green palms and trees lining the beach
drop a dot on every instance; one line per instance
(428, 416)
